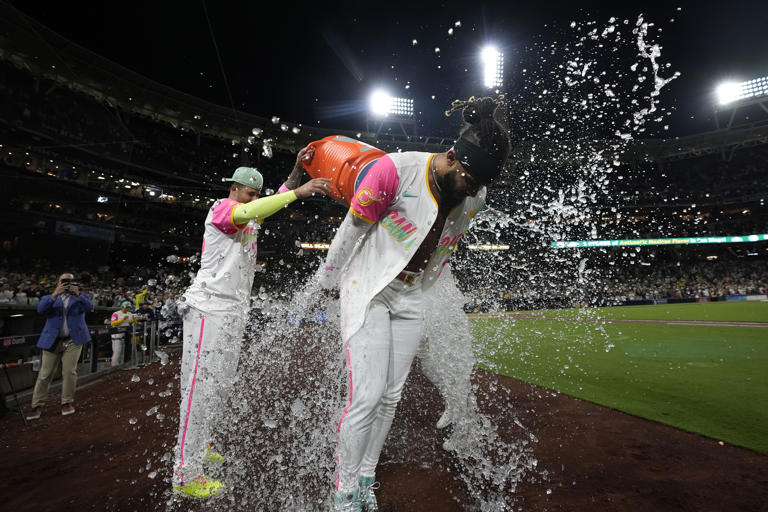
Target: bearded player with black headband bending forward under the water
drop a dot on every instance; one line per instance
(407, 215)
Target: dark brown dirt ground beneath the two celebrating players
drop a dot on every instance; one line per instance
(590, 458)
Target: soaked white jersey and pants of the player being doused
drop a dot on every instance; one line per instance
(408, 243)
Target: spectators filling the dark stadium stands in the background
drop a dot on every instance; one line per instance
(130, 147)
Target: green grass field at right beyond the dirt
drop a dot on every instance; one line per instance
(711, 380)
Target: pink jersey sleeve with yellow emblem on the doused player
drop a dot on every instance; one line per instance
(377, 190)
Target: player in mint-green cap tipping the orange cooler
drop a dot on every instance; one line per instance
(214, 310)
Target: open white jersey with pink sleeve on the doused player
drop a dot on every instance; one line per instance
(395, 195)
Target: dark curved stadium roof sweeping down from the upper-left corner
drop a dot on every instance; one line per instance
(32, 46)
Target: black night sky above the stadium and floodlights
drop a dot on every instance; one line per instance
(320, 62)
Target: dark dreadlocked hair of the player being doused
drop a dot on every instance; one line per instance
(482, 128)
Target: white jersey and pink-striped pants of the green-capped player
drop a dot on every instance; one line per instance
(214, 312)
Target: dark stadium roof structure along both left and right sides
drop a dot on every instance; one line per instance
(30, 45)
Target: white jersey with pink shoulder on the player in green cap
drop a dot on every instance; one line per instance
(227, 261)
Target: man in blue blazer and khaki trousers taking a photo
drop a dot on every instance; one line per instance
(63, 337)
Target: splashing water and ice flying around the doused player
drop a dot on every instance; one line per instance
(580, 109)
